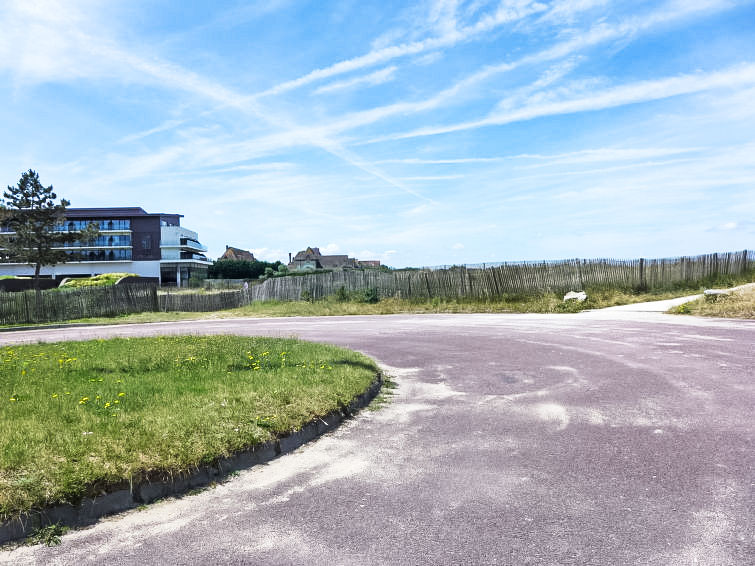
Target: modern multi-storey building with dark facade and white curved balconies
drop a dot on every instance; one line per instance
(132, 241)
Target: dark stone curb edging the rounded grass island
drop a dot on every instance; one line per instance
(90, 510)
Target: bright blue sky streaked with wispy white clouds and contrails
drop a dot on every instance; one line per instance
(419, 133)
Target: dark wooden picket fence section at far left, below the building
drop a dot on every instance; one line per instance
(67, 304)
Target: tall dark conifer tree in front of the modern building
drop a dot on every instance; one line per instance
(32, 225)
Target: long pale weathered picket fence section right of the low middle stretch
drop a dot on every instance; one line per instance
(524, 278)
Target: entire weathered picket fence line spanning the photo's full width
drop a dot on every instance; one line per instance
(453, 283)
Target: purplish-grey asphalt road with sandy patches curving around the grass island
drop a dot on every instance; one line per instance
(619, 437)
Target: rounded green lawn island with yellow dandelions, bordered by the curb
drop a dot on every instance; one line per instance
(77, 417)
